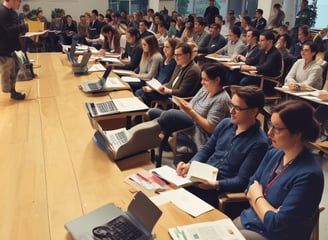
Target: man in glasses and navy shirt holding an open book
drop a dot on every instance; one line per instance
(236, 147)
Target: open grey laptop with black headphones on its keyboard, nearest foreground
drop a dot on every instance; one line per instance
(110, 222)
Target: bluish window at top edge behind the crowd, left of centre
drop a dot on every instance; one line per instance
(129, 6)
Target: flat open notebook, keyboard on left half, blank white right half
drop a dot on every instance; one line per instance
(114, 106)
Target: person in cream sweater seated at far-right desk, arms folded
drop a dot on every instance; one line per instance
(305, 73)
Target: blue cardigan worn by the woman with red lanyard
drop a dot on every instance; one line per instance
(296, 192)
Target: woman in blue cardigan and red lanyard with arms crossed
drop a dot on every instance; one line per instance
(286, 189)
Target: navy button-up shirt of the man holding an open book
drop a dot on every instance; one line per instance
(236, 156)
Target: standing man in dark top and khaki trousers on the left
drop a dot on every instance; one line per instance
(10, 29)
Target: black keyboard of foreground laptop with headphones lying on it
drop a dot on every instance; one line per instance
(117, 229)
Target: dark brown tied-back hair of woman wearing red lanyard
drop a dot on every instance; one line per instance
(298, 116)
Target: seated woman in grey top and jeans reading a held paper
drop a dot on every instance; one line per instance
(205, 110)
